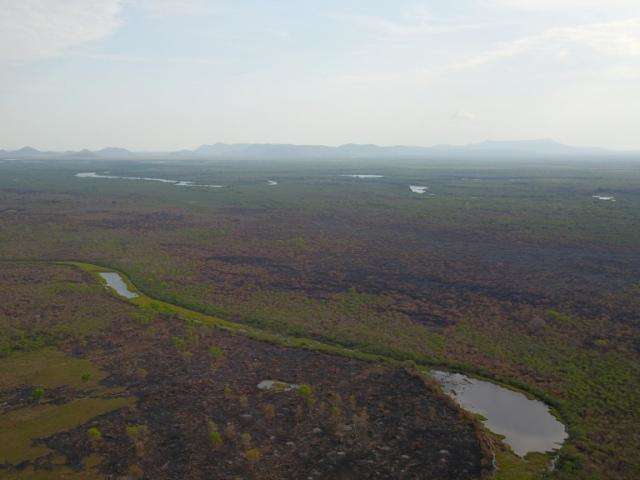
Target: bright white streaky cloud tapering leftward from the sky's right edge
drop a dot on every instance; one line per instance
(617, 38)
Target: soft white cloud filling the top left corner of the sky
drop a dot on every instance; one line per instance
(32, 29)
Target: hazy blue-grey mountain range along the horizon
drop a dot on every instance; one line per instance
(273, 151)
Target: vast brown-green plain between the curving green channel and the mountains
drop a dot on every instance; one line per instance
(512, 271)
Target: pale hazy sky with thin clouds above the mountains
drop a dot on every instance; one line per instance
(172, 74)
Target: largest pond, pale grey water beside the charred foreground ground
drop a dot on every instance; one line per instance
(526, 424)
